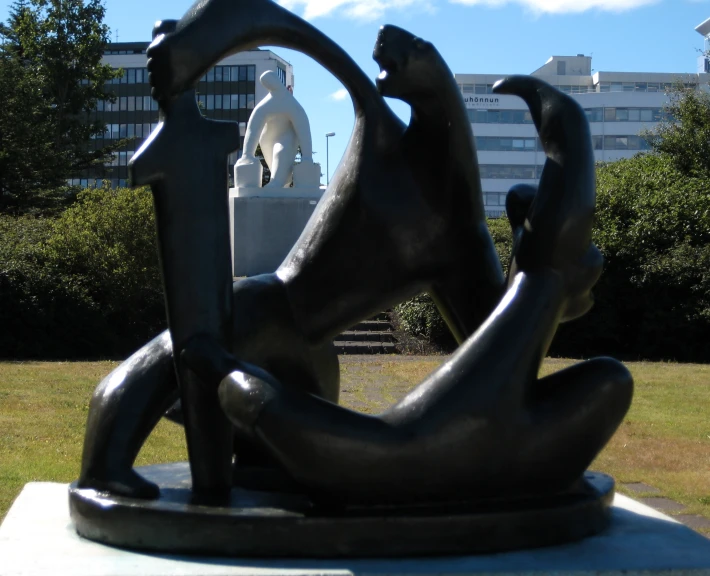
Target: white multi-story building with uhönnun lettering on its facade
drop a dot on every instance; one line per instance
(619, 106)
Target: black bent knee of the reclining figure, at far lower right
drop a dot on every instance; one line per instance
(574, 413)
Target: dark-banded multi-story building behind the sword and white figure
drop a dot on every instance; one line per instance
(228, 91)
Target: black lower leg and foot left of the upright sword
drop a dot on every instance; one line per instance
(125, 408)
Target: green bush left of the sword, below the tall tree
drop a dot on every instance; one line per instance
(86, 284)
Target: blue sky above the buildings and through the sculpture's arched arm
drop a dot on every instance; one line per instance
(474, 36)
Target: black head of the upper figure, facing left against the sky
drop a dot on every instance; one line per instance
(408, 64)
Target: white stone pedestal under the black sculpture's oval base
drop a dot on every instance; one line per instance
(37, 538)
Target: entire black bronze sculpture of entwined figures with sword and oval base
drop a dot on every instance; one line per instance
(483, 433)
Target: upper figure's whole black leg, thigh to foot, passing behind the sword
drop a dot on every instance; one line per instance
(130, 401)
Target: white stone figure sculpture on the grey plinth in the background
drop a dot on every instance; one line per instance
(279, 124)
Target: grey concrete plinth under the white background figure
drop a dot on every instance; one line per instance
(264, 228)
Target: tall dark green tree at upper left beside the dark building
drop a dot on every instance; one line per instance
(53, 78)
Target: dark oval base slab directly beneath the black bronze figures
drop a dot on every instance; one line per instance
(261, 524)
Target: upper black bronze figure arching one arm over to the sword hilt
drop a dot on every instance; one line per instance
(392, 223)
